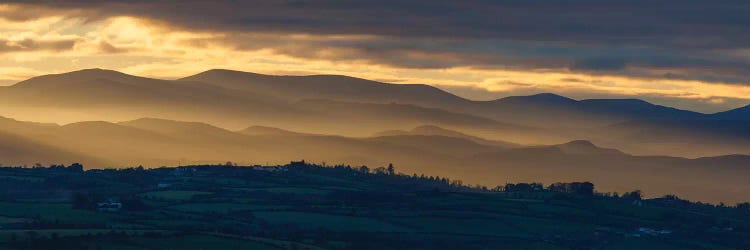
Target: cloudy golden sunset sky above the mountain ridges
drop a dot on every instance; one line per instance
(688, 54)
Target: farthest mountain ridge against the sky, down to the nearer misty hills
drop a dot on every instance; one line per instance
(357, 107)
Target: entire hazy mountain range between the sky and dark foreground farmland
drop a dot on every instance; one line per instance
(261, 119)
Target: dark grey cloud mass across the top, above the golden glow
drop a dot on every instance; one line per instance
(693, 39)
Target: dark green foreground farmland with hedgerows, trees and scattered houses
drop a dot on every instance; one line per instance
(302, 206)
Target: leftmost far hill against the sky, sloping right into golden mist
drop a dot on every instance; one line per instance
(110, 95)
